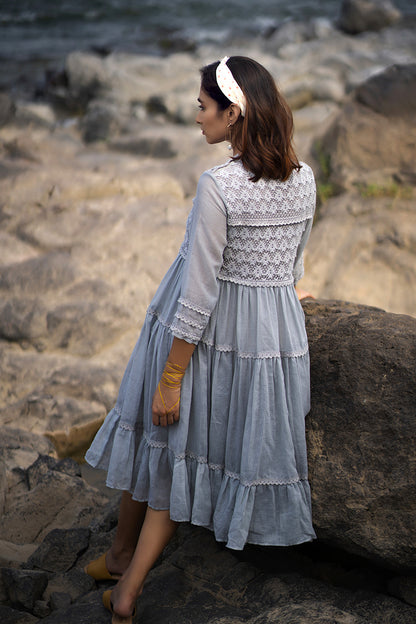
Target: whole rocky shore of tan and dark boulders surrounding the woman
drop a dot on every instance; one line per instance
(96, 182)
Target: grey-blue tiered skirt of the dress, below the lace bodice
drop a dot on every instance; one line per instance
(236, 461)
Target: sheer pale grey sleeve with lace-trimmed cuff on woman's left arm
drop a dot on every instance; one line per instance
(207, 240)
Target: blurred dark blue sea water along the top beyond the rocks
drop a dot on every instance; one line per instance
(37, 34)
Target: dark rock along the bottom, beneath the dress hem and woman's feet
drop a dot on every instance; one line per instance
(199, 580)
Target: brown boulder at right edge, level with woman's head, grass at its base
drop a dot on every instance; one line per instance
(372, 142)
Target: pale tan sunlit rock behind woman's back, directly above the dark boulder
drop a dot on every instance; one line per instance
(369, 249)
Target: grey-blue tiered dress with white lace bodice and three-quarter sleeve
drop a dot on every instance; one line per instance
(236, 460)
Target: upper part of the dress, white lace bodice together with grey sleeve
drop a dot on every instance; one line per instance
(247, 233)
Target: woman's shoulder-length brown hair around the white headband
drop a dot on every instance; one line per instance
(263, 137)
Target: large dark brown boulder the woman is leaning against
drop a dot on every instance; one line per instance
(361, 430)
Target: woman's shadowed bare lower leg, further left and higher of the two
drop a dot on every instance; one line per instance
(130, 521)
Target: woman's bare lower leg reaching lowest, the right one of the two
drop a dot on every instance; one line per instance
(157, 530)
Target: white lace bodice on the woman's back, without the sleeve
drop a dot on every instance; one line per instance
(265, 223)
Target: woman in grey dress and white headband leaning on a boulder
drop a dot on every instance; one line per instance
(209, 422)
